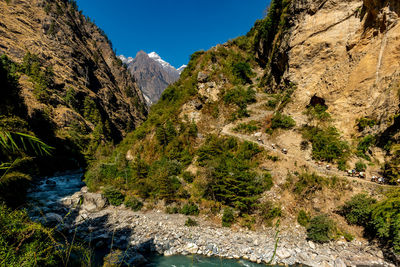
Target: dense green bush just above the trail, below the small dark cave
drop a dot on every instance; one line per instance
(327, 144)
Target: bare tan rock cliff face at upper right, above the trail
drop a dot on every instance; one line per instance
(346, 53)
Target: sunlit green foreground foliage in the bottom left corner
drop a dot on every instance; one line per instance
(25, 243)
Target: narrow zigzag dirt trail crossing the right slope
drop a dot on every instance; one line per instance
(257, 114)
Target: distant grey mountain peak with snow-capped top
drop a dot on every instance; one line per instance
(152, 73)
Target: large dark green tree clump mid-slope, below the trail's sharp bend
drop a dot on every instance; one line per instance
(231, 178)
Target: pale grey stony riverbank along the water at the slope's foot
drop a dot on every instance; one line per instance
(137, 233)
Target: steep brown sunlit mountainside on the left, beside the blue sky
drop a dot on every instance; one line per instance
(90, 86)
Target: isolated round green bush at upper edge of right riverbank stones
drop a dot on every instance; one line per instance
(321, 229)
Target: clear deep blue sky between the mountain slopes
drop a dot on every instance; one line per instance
(172, 28)
